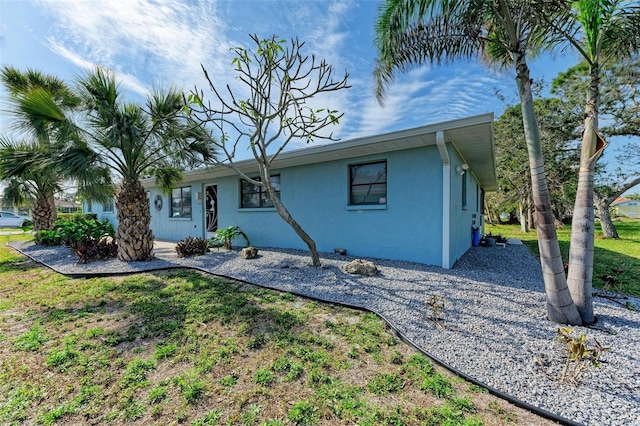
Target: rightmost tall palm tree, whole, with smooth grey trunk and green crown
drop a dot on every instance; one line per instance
(603, 32)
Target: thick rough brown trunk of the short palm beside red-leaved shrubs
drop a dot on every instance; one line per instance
(134, 237)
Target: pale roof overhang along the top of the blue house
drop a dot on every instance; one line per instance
(472, 137)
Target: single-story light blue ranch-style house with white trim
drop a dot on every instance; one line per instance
(410, 195)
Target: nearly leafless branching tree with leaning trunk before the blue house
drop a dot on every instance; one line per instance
(281, 81)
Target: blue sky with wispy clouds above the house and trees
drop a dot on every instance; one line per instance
(157, 43)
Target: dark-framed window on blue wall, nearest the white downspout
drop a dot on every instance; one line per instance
(368, 183)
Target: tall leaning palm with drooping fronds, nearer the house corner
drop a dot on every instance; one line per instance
(501, 33)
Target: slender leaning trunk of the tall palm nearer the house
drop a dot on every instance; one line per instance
(560, 307)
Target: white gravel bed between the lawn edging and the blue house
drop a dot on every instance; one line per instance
(493, 328)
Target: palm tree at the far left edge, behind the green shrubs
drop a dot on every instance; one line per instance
(26, 163)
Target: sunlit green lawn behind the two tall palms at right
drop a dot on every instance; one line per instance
(616, 261)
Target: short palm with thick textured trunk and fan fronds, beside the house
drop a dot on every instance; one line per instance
(135, 142)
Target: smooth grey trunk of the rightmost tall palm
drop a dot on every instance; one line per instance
(580, 274)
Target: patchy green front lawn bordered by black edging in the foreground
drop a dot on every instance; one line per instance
(186, 348)
